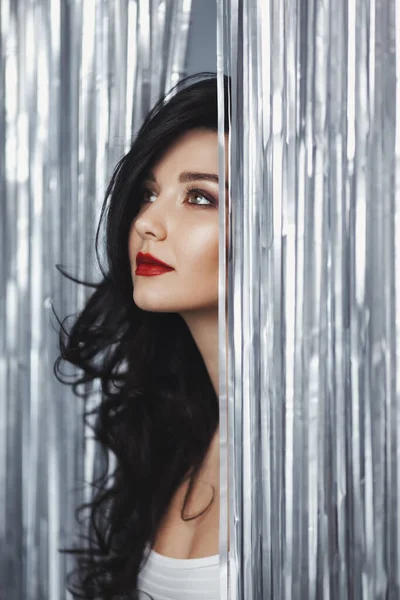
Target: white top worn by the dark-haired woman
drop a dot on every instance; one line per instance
(166, 578)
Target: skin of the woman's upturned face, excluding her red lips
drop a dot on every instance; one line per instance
(178, 223)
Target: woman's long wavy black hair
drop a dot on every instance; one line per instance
(158, 411)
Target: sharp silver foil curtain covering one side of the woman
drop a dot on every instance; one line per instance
(313, 381)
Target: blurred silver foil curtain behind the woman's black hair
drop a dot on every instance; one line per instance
(76, 79)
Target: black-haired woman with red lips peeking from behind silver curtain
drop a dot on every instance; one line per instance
(150, 334)
